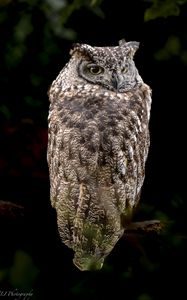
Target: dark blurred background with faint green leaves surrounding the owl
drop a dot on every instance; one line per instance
(35, 39)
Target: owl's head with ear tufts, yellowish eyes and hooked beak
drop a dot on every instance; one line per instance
(110, 67)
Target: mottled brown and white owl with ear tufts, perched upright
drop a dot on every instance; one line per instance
(97, 148)
